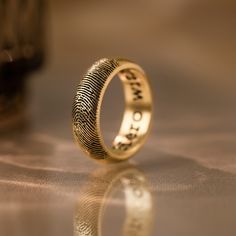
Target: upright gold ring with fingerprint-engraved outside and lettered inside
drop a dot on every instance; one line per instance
(87, 106)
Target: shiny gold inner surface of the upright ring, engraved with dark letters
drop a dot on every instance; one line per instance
(137, 114)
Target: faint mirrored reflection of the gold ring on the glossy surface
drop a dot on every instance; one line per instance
(95, 195)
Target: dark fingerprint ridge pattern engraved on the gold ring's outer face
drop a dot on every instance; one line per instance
(85, 105)
